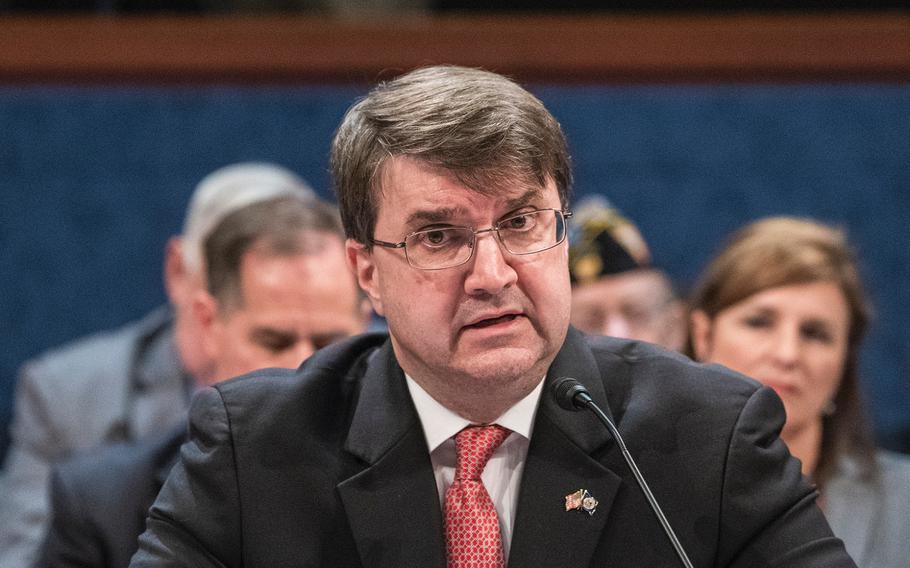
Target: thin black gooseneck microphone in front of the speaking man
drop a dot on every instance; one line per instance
(572, 395)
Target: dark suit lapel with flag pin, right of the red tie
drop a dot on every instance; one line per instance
(563, 458)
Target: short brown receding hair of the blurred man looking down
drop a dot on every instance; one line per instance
(284, 226)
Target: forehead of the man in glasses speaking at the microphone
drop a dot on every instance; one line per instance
(411, 190)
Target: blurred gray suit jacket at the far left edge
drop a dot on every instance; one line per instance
(112, 386)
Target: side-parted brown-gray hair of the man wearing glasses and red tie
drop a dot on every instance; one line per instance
(481, 127)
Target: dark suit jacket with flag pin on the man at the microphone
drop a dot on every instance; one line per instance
(328, 466)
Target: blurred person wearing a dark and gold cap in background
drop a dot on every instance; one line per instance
(616, 291)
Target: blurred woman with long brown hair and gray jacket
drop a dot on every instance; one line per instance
(784, 304)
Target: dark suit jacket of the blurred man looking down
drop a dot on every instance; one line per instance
(99, 502)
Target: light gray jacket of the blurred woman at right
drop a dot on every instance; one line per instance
(873, 516)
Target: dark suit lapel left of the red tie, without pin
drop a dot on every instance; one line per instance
(392, 505)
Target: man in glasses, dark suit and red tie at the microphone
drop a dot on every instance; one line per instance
(440, 444)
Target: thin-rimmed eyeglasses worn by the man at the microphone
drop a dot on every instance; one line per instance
(447, 247)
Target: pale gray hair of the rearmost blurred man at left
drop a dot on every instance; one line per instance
(228, 189)
